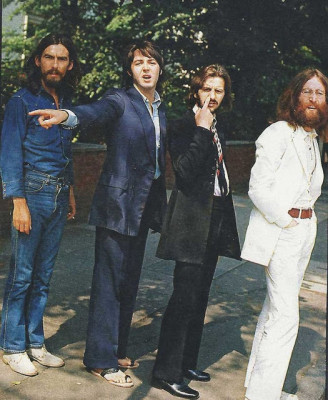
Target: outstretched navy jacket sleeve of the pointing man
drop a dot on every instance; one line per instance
(101, 113)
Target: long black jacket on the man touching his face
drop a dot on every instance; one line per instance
(186, 227)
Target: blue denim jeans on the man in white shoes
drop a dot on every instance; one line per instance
(32, 263)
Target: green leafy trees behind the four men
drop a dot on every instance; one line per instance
(261, 42)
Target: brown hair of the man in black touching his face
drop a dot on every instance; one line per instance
(211, 71)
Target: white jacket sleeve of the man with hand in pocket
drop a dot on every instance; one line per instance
(270, 148)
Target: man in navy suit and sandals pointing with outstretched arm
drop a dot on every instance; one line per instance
(130, 199)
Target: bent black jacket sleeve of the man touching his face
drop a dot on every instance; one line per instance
(190, 146)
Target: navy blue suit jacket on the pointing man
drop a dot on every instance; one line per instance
(129, 168)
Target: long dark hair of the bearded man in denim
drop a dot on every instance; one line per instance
(72, 77)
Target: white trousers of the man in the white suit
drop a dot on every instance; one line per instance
(278, 322)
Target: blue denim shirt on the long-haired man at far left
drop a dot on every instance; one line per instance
(26, 145)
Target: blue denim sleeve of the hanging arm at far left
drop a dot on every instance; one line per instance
(11, 154)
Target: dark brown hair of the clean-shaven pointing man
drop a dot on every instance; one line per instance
(147, 49)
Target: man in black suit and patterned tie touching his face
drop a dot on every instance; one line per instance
(199, 226)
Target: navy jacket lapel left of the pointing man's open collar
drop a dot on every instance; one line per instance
(145, 119)
